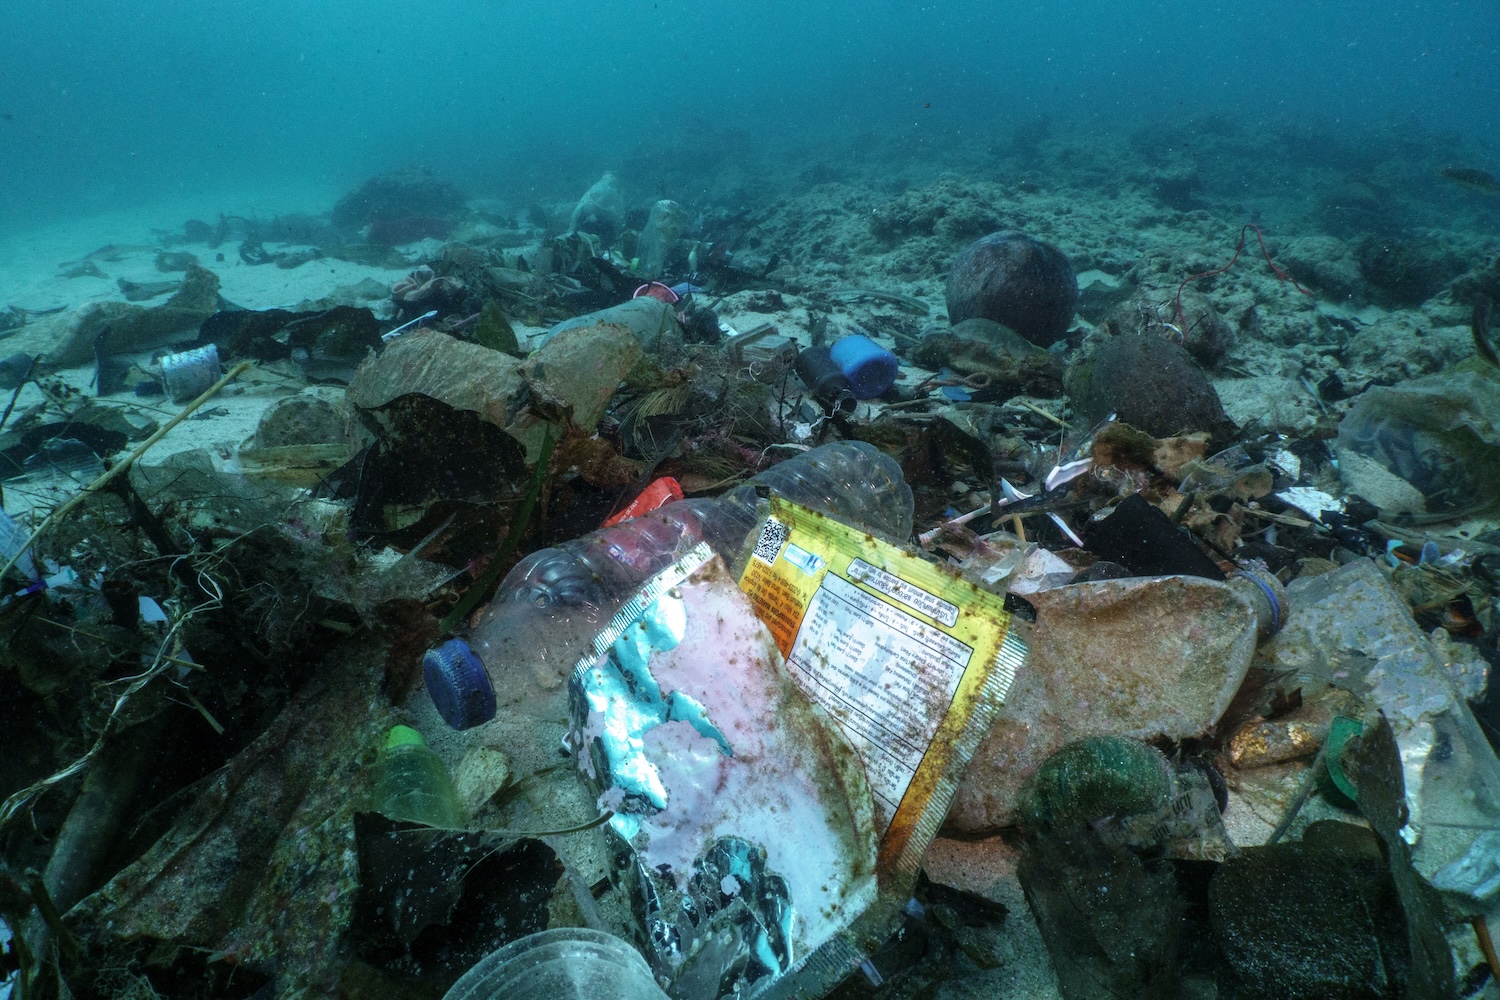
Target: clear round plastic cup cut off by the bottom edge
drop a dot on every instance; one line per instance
(568, 963)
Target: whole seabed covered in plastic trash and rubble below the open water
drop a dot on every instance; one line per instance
(997, 609)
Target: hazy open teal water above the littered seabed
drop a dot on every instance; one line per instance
(107, 104)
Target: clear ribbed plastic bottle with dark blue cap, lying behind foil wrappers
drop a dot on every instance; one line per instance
(554, 602)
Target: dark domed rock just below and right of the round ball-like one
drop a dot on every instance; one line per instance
(1150, 385)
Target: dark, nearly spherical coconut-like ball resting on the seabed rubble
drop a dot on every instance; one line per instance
(1016, 281)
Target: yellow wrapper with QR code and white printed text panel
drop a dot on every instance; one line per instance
(908, 657)
